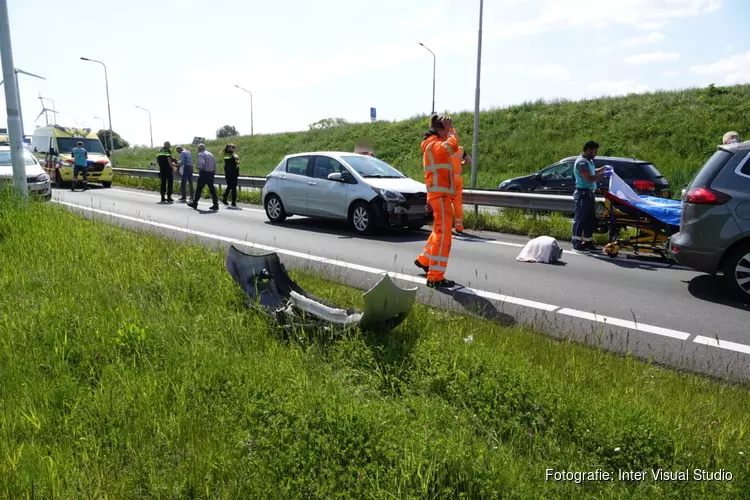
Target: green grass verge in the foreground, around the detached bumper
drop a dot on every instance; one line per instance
(130, 367)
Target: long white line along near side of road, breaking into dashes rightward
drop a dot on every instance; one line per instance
(641, 327)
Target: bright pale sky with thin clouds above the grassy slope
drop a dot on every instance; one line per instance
(305, 61)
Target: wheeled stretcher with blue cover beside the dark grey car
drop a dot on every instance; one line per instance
(647, 222)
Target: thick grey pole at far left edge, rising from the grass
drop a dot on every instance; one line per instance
(12, 104)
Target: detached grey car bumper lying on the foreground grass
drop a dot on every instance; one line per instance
(265, 280)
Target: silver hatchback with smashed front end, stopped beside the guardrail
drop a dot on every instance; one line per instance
(360, 189)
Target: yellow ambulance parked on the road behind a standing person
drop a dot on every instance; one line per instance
(54, 144)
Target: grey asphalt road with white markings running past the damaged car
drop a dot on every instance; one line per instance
(671, 316)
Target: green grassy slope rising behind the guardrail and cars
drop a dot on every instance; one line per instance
(675, 130)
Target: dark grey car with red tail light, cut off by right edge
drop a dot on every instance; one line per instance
(715, 223)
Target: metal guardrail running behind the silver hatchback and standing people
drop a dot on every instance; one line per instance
(481, 197)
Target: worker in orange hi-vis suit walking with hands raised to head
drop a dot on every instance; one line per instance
(440, 142)
